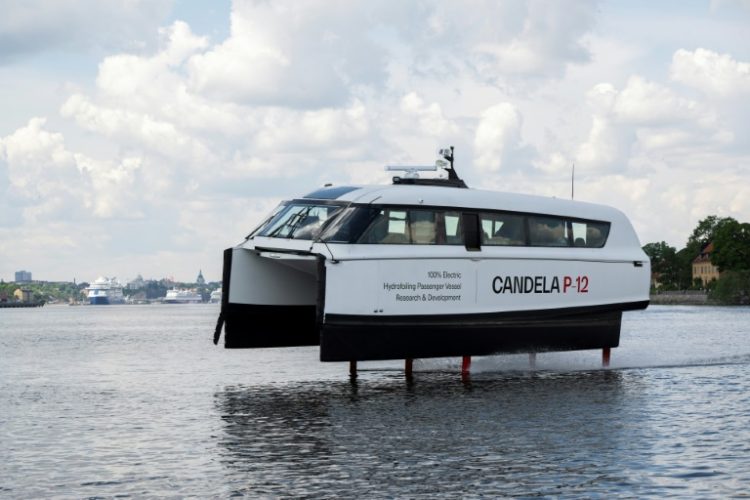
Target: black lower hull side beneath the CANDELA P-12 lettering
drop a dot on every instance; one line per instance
(347, 338)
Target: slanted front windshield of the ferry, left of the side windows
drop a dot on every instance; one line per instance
(299, 221)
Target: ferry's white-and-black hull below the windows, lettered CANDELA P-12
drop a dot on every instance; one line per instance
(361, 309)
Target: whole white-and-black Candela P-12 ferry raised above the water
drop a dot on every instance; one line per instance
(430, 268)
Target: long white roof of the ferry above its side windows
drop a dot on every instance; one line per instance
(439, 196)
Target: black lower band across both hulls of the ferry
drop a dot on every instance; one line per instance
(343, 338)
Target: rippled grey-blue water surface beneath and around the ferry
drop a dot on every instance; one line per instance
(136, 401)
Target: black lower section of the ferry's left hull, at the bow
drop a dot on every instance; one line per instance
(248, 326)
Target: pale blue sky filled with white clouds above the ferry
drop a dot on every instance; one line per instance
(144, 137)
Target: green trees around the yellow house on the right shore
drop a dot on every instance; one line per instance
(731, 255)
